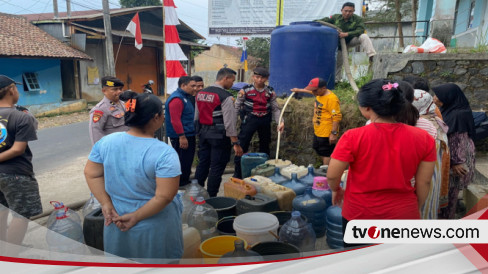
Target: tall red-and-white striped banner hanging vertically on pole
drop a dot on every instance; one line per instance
(173, 52)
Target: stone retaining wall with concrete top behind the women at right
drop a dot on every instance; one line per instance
(468, 71)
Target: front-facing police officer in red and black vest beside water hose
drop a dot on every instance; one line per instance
(257, 106)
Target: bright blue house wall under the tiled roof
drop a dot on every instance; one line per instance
(48, 74)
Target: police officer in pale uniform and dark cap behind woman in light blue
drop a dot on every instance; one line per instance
(108, 115)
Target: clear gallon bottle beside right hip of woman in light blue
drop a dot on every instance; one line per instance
(204, 218)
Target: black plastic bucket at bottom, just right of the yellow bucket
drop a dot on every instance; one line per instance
(276, 250)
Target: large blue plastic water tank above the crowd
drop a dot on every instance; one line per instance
(300, 52)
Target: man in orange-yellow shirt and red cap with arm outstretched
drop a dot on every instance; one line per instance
(326, 117)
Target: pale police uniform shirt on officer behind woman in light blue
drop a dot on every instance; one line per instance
(105, 118)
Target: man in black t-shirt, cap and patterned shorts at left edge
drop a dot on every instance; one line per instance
(19, 190)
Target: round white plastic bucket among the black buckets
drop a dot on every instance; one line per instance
(255, 227)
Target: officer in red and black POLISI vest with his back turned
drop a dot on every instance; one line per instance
(216, 119)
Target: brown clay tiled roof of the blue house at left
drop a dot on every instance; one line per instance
(19, 38)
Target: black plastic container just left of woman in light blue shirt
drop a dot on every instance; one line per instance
(93, 229)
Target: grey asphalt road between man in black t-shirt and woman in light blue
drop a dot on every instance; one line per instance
(57, 146)
